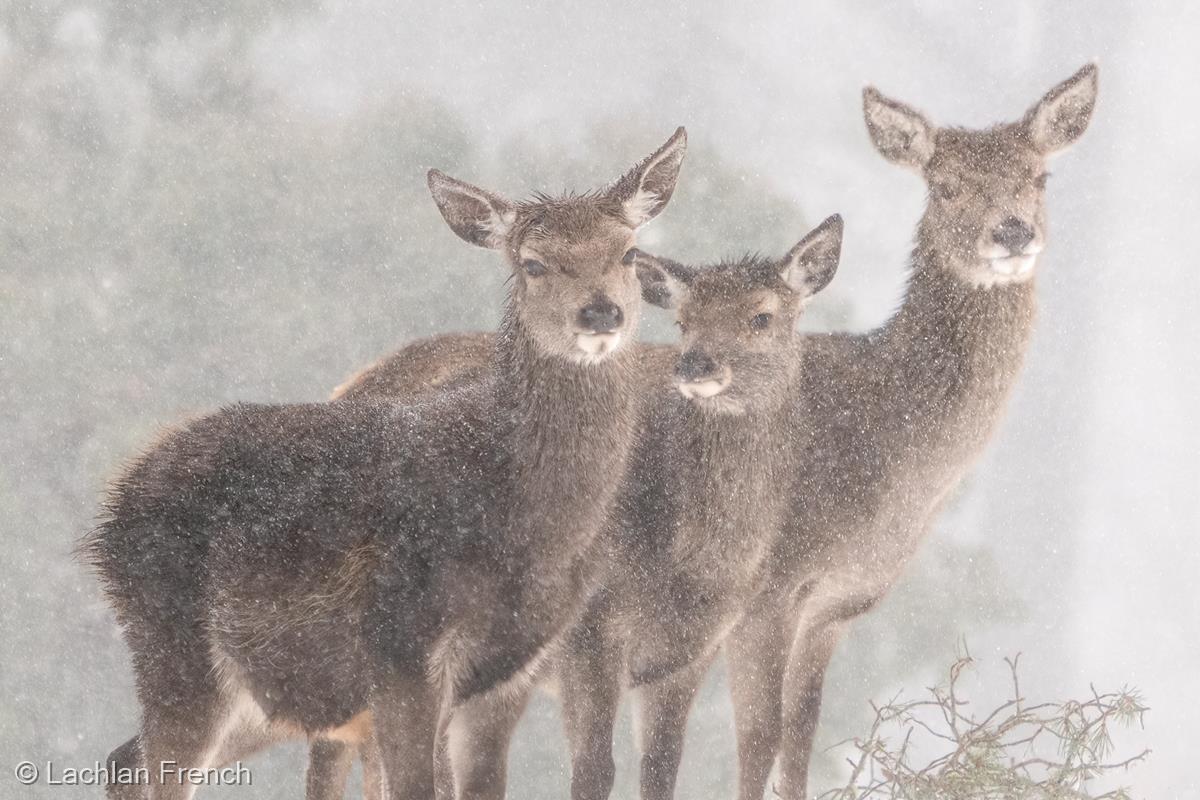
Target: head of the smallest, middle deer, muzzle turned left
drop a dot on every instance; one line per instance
(739, 320)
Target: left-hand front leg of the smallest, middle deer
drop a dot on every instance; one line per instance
(590, 678)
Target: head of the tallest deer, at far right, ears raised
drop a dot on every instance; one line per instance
(987, 189)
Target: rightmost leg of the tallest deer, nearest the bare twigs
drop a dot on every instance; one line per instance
(812, 652)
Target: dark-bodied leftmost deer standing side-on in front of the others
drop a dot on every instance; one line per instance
(327, 569)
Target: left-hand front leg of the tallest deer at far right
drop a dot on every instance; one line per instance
(757, 652)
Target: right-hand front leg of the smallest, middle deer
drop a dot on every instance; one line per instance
(663, 720)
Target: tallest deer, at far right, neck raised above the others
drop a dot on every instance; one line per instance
(902, 413)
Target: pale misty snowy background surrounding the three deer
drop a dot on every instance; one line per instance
(214, 201)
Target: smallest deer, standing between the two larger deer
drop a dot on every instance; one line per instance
(694, 520)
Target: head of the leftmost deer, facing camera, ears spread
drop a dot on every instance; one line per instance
(577, 292)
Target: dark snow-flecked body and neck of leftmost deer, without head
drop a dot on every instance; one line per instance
(299, 551)
